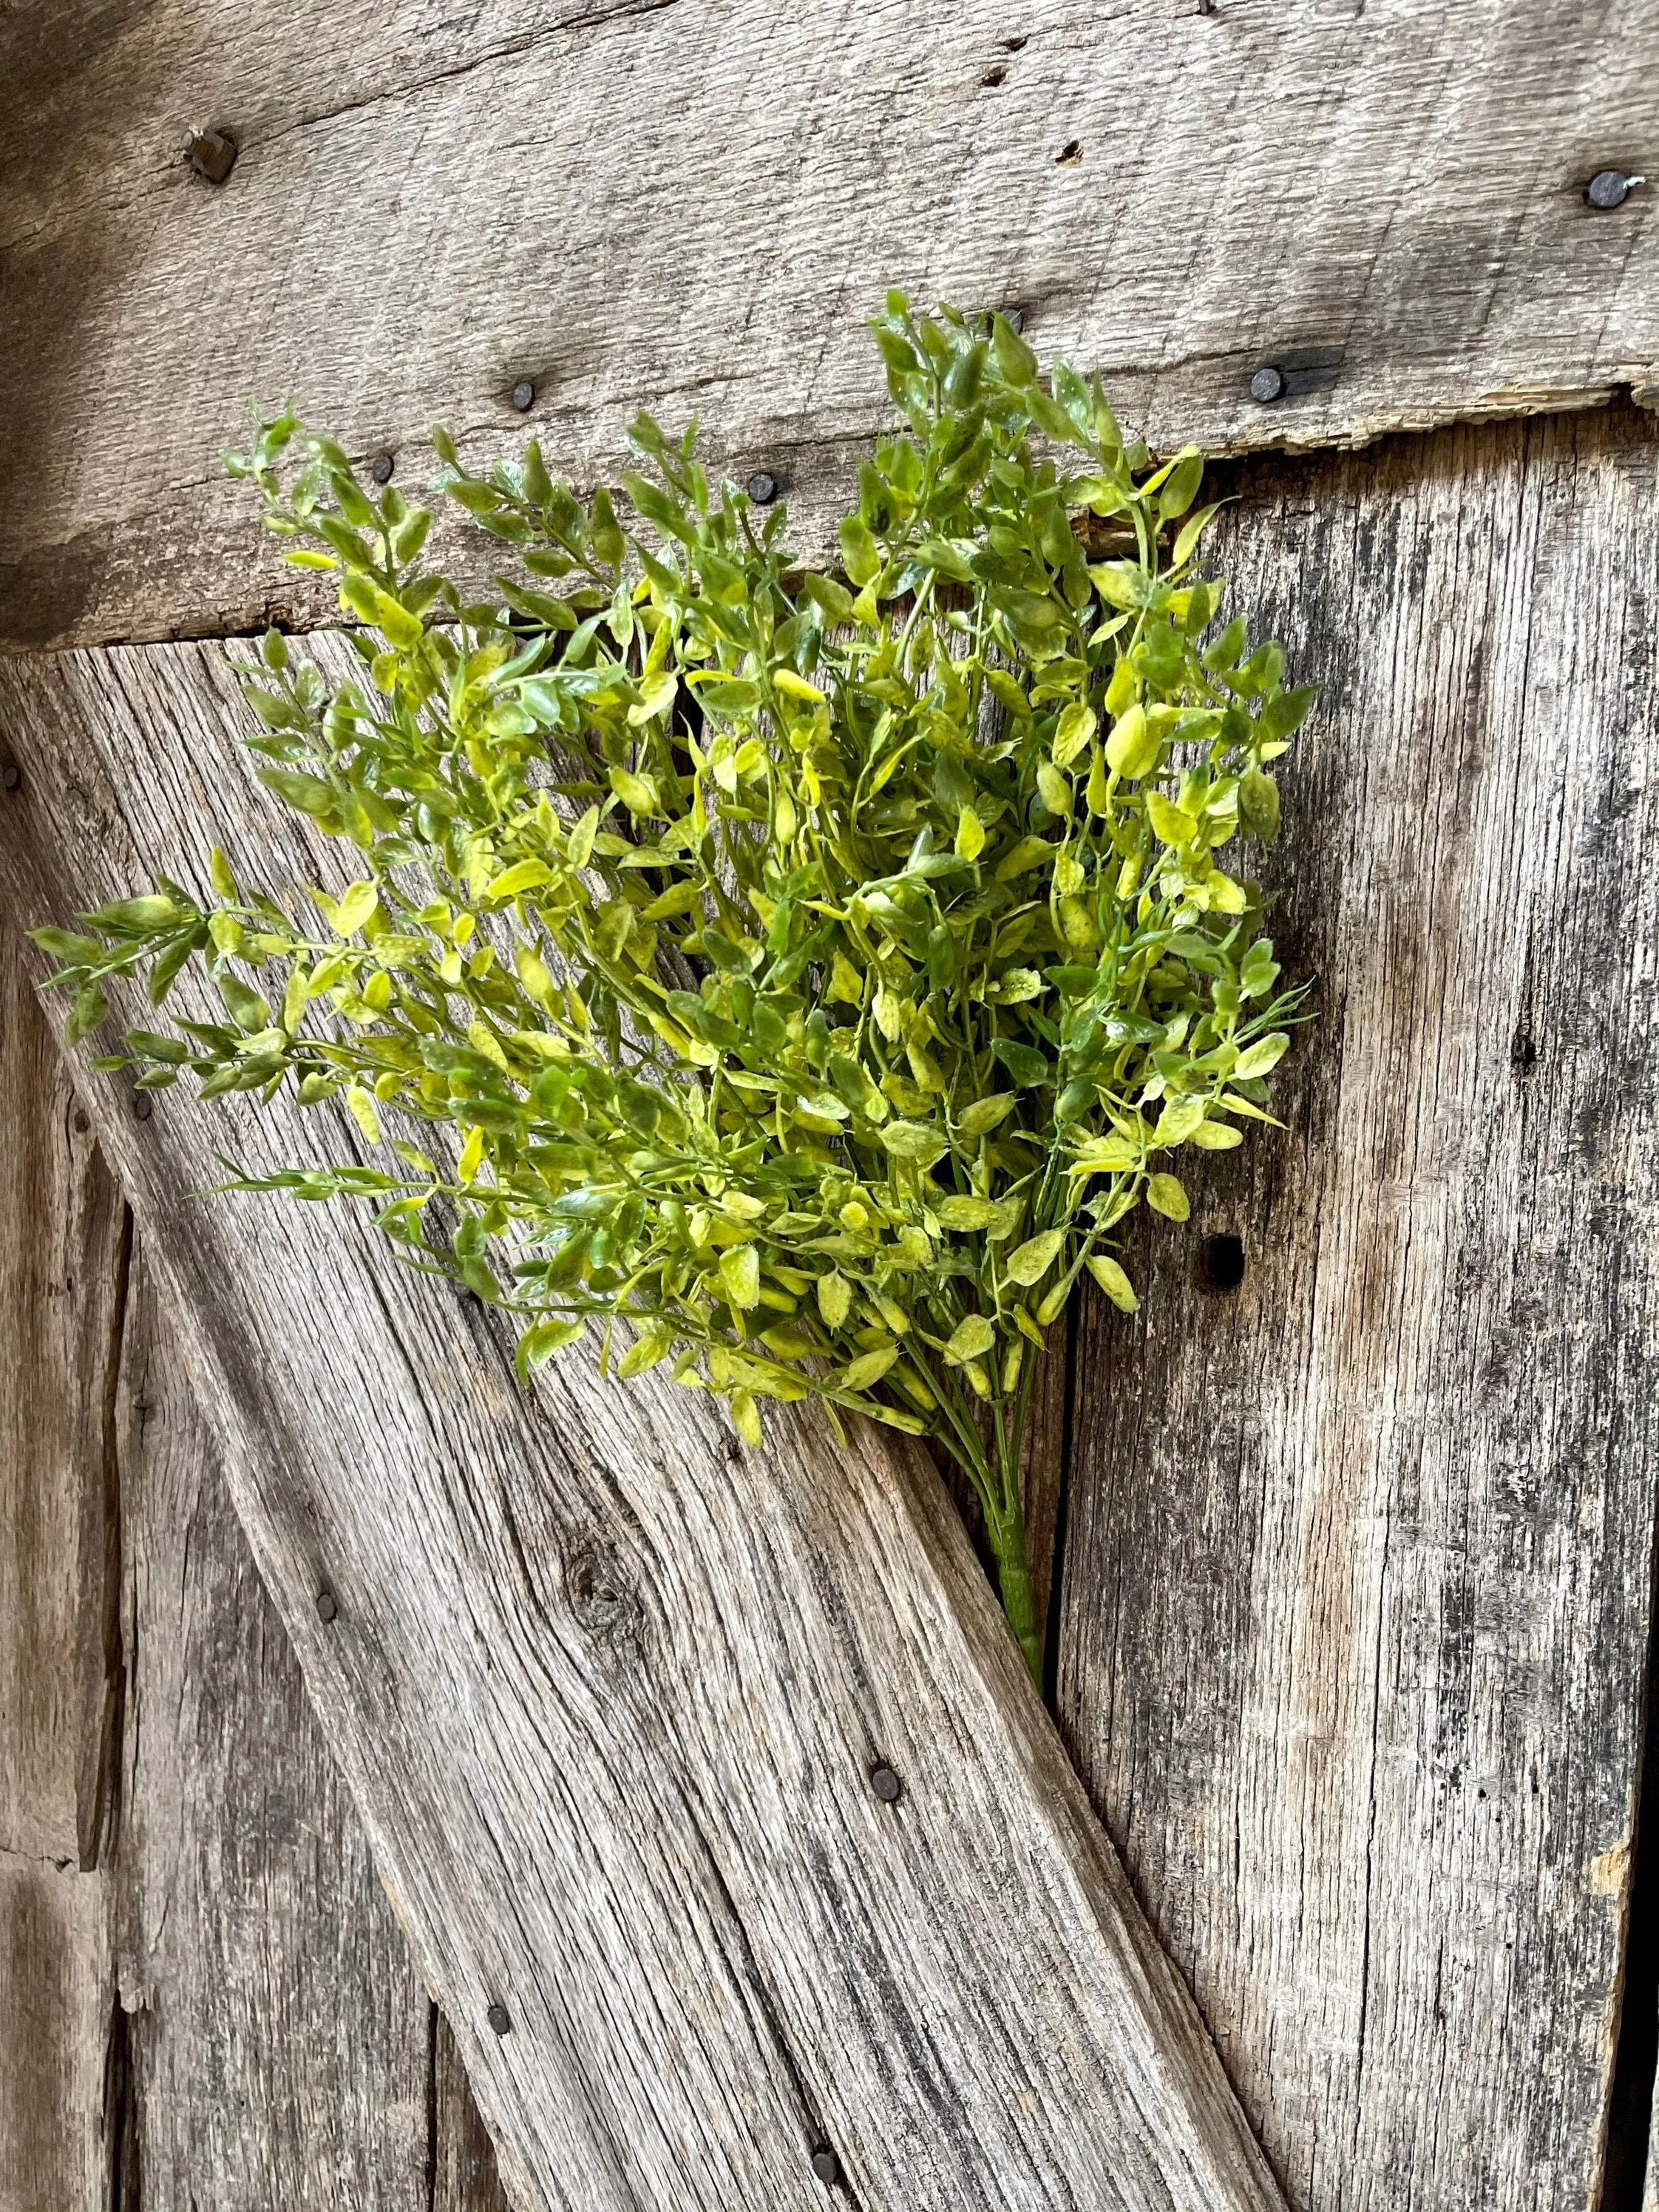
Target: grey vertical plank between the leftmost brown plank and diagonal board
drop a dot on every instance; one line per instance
(280, 2034)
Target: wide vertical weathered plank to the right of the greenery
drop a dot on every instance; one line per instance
(1357, 1585)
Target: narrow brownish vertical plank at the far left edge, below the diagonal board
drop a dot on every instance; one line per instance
(61, 1302)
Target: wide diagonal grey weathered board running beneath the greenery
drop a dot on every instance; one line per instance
(609, 1695)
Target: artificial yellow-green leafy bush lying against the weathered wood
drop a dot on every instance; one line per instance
(815, 974)
